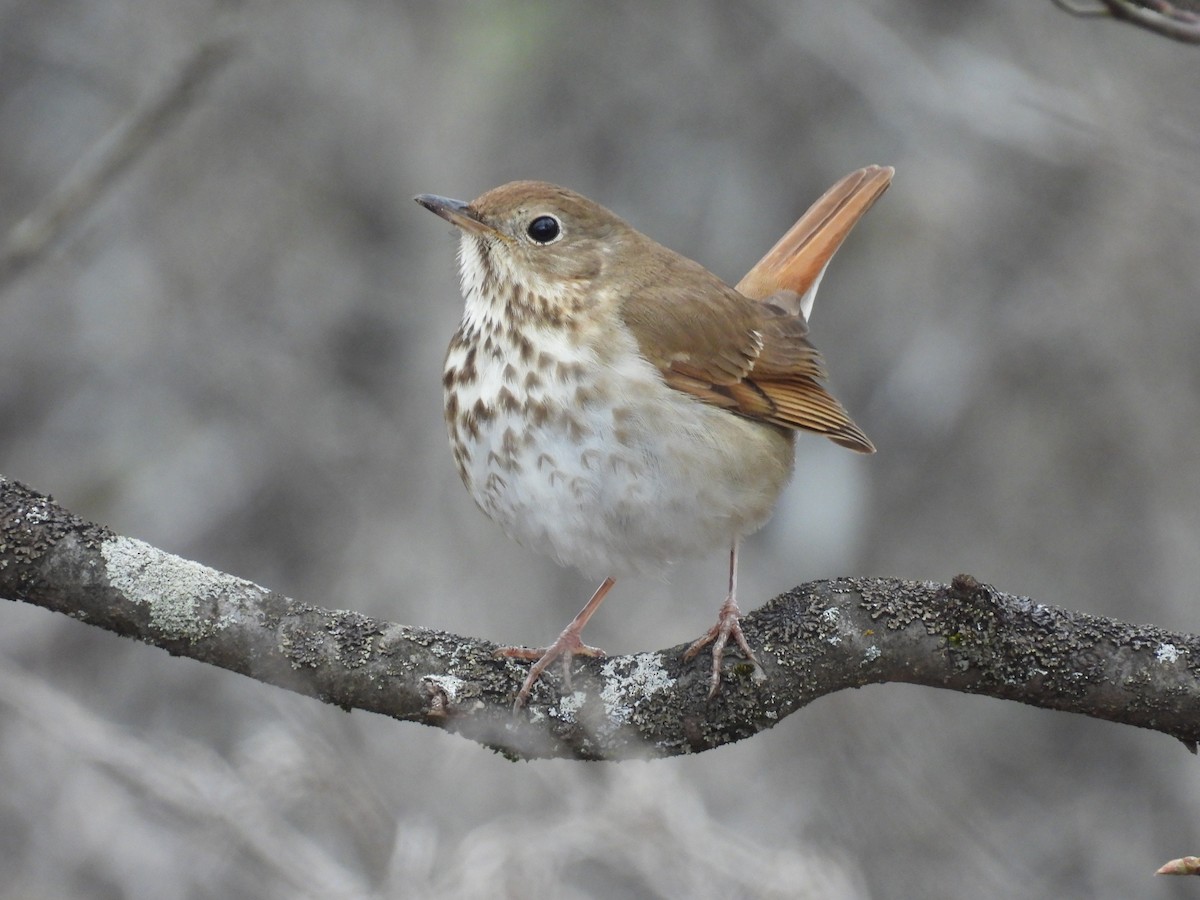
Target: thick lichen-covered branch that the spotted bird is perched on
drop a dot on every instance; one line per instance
(814, 640)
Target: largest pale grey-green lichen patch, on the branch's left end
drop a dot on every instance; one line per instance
(181, 596)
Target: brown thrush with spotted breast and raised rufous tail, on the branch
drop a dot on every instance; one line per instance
(615, 405)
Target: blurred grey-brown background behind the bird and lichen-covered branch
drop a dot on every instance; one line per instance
(236, 356)
